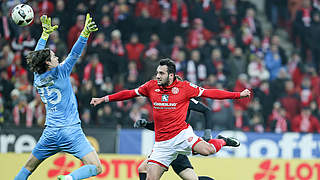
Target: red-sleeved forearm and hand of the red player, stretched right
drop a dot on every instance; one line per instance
(222, 94)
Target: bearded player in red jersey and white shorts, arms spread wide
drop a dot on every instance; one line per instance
(170, 100)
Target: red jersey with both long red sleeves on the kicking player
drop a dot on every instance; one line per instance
(170, 103)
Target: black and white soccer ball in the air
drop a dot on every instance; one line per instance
(22, 14)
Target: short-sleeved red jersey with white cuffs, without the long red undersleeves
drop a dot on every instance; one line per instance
(170, 106)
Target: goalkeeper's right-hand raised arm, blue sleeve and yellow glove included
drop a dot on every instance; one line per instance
(89, 27)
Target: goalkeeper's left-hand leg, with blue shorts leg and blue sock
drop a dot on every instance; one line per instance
(45, 148)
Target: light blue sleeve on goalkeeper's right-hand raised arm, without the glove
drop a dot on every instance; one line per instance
(66, 66)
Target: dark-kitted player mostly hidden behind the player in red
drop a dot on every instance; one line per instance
(181, 165)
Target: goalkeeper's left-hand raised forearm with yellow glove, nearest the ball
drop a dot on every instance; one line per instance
(47, 29)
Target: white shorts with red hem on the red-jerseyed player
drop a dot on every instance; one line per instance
(164, 152)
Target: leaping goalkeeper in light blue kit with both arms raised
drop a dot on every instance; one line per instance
(62, 128)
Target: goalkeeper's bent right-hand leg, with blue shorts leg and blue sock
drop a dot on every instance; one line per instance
(74, 142)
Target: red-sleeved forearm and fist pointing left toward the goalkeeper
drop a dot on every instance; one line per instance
(119, 96)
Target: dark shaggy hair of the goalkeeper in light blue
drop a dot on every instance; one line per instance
(36, 60)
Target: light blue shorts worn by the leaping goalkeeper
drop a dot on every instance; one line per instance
(70, 139)
